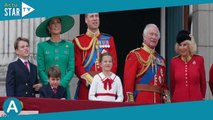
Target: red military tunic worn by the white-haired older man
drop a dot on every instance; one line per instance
(134, 66)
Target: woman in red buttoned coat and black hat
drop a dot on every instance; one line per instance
(187, 74)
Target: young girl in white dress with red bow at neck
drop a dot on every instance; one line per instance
(106, 86)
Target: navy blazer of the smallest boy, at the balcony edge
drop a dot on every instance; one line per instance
(47, 92)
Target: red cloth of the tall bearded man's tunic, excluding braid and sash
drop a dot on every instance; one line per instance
(81, 55)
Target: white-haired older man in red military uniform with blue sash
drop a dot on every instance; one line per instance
(144, 72)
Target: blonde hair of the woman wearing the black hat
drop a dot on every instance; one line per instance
(192, 46)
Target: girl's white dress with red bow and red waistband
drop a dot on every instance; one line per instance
(106, 89)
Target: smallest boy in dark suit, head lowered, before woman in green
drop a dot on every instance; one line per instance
(53, 88)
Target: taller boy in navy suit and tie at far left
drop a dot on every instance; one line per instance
(21, 78)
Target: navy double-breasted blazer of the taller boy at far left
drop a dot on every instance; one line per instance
(19, 81)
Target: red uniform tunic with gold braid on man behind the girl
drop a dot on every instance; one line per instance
(83, 47)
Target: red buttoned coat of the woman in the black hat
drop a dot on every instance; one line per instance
(188, 81)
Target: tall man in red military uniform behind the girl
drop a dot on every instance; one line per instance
(88, 48)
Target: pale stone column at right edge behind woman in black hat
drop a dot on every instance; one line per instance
(203, 33)
